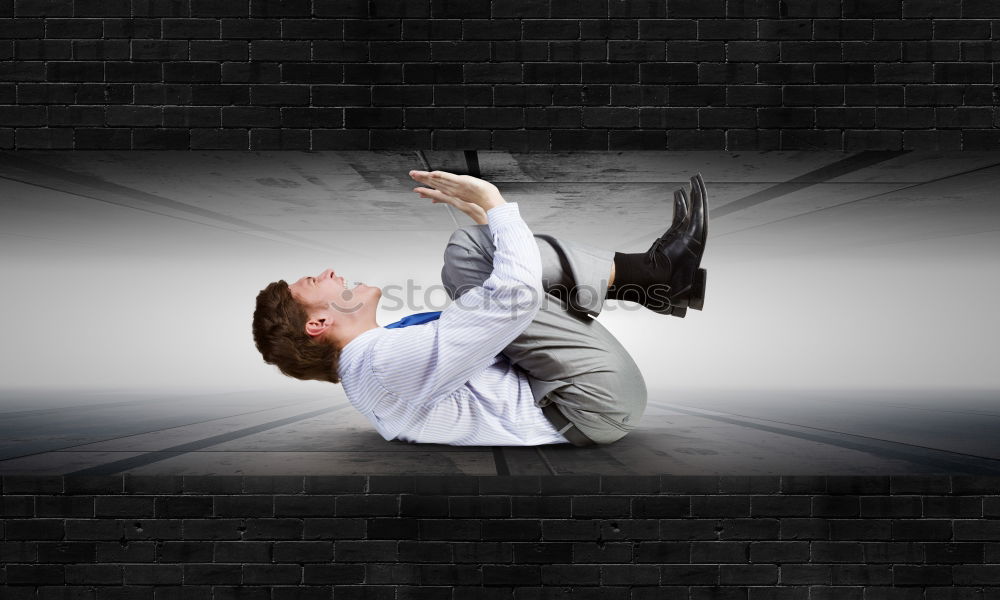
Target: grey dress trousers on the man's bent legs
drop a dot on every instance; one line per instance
(570, 359)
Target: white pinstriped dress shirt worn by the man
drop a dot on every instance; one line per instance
(446, 381)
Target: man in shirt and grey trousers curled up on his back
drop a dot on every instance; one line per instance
(516, 359)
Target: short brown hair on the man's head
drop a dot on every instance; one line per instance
(279, 332)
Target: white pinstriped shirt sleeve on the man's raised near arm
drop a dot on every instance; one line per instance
(429, 362)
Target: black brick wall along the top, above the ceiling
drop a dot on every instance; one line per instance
(516, 75)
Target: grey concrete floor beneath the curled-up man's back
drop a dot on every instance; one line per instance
(729, 433)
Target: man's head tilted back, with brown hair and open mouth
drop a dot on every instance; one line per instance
(302, 327)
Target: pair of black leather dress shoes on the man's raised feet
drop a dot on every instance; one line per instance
(677, 255)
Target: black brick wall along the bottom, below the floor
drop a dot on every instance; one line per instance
(748, 538)
